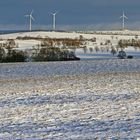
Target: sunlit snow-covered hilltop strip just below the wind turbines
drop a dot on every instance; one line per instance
(99, 34)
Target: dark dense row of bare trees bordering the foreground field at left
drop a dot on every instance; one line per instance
(37, 54)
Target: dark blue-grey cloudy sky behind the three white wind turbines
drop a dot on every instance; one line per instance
(73, 14)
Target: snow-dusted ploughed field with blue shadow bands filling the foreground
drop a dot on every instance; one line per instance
(70, 100)
